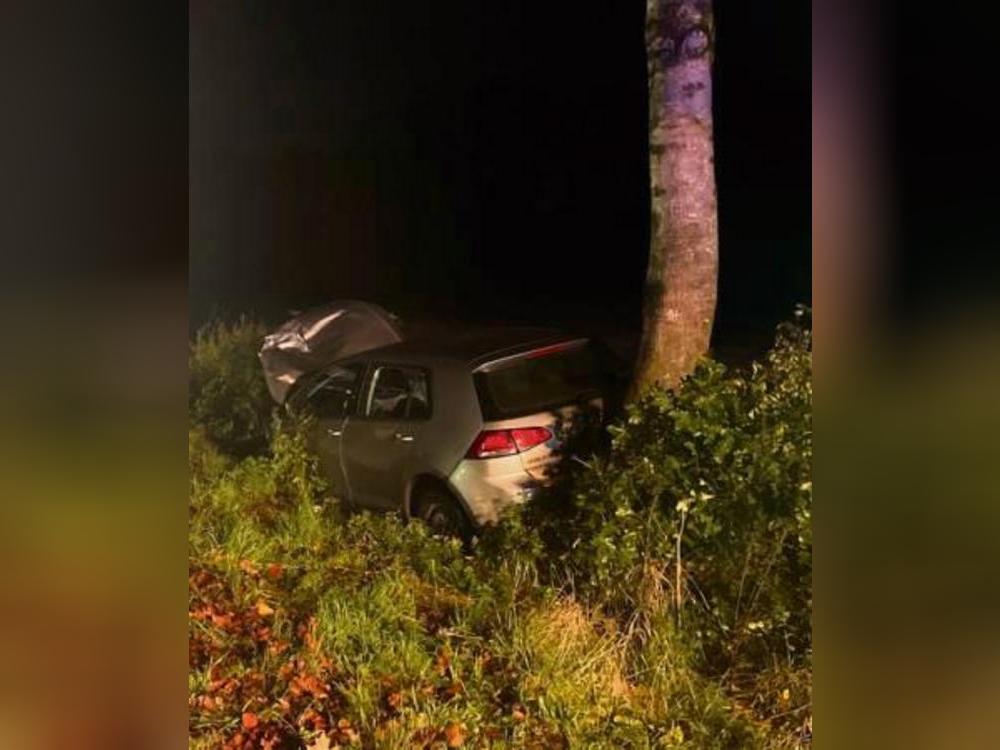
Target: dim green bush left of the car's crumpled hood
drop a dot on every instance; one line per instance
(228, 396)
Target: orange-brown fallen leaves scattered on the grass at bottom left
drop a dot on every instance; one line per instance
(298, 703)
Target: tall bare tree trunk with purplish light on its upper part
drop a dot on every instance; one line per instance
(681, 280)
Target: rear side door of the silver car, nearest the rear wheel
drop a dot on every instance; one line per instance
(378, 443)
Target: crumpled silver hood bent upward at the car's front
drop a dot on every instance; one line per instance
(323, 335)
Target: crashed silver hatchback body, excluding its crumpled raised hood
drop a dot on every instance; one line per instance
(450, 425)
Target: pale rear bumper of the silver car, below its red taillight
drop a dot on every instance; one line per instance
(488, 486)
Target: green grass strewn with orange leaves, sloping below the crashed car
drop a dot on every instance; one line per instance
(365, 629)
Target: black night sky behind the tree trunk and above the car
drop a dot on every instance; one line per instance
(479, 160)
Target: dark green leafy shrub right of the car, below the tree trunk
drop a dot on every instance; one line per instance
(698, 522)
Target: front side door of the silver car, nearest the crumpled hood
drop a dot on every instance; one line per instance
(331, 399)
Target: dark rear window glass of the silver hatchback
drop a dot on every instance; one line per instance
(537, 383)
